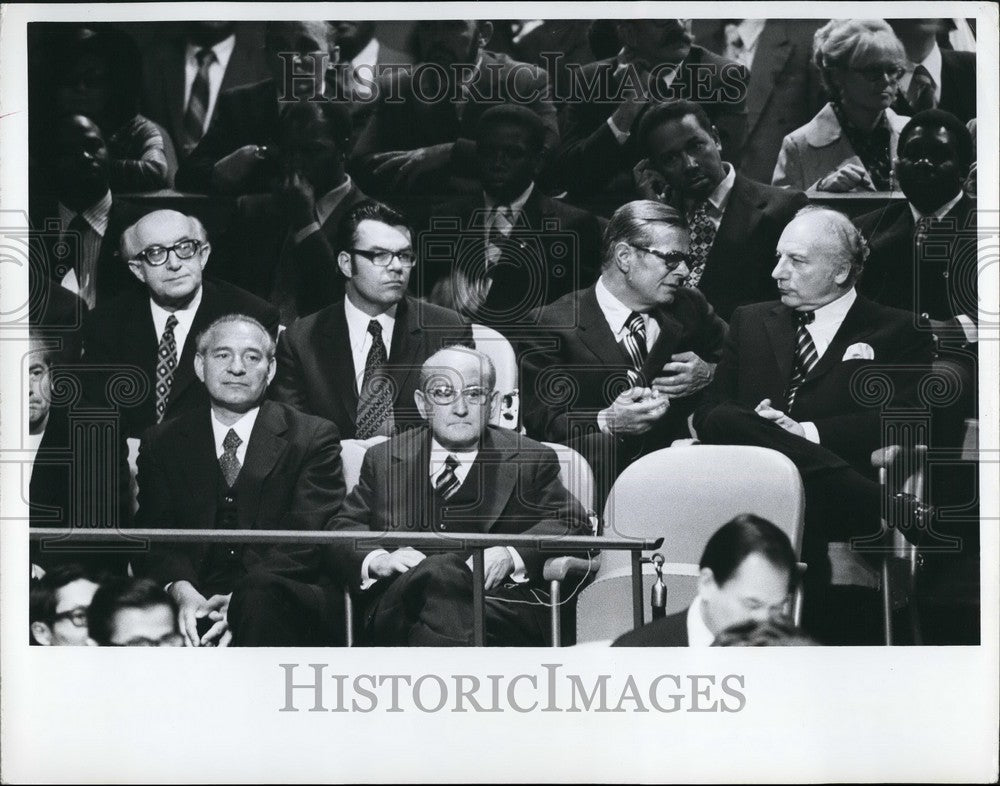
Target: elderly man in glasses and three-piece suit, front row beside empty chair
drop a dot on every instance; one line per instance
(458, 474)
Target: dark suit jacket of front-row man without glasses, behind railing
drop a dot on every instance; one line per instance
(291, 479)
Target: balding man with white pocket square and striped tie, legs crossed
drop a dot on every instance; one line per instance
(796, 384)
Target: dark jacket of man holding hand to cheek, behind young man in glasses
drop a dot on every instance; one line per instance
(259, 254)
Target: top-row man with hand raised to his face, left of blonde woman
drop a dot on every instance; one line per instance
(657, 63)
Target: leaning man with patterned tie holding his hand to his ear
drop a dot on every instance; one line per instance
(734, 222)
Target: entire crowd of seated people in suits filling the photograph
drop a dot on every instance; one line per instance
(626, 202)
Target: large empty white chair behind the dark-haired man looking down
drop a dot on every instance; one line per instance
(684, 494)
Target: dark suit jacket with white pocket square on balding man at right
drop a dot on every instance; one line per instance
(757, 363)
